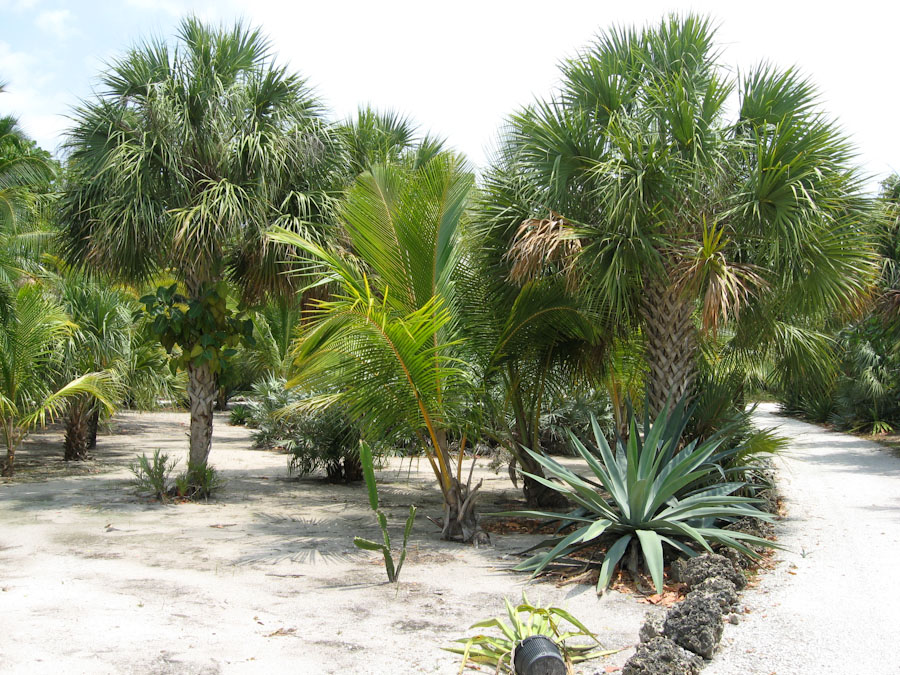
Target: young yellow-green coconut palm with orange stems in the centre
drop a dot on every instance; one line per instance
(387, 341)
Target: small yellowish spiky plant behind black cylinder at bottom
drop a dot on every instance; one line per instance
(527, 620)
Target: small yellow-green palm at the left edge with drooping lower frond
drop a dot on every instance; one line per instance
(30, 338)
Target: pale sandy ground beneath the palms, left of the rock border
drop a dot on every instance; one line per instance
(94, 579)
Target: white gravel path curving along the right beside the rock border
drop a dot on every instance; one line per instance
(832, 604)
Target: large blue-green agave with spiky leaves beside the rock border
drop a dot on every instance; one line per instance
(653, 490)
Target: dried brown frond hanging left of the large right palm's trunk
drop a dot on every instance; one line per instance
(544, 246)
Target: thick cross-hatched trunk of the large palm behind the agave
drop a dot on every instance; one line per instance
(671, 344)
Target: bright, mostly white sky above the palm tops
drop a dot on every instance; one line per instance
(457, 67)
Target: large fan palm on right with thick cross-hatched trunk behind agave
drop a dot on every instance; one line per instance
(679, 216)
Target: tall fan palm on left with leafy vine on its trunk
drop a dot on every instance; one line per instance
(180, 165)
